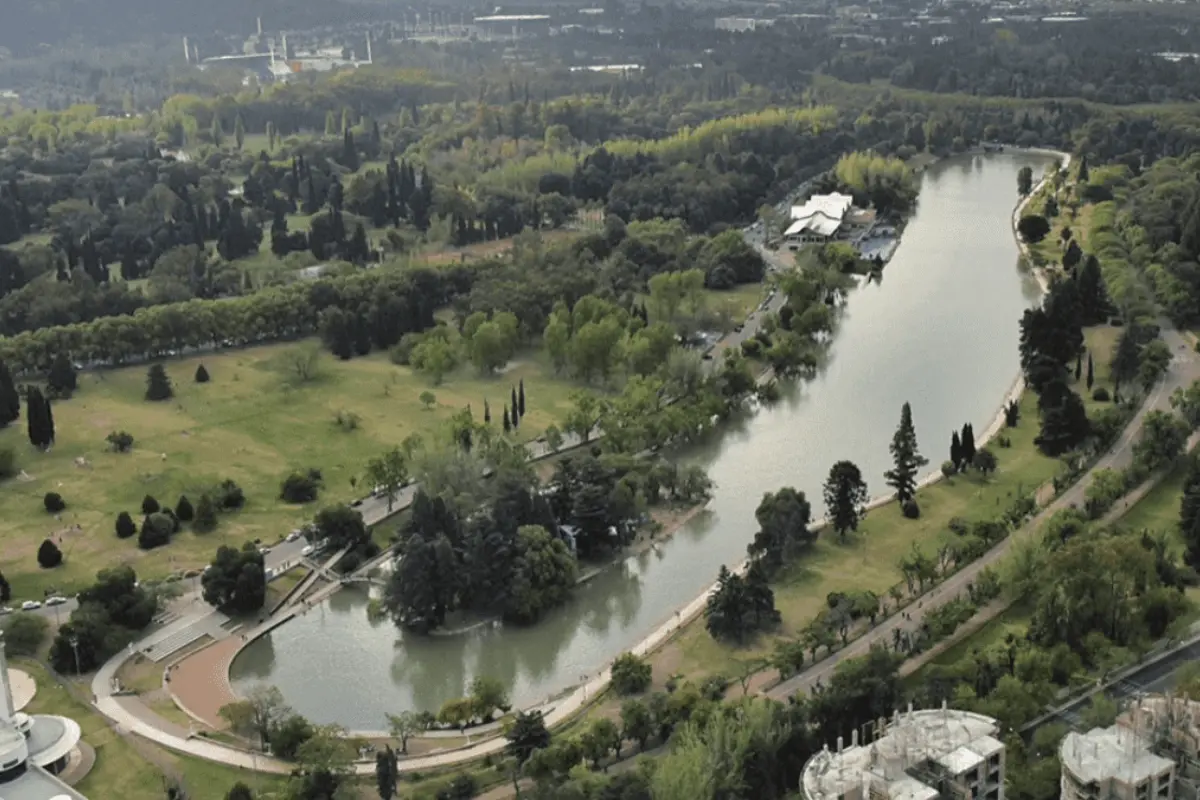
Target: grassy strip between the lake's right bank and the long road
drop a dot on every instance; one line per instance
(869, 560)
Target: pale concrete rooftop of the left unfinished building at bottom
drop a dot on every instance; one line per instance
(933, 735)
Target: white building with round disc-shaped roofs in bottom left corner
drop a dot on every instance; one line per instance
(34, 749)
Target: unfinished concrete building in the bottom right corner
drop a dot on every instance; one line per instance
(1151, 754)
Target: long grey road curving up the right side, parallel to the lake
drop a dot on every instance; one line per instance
(1184, 371)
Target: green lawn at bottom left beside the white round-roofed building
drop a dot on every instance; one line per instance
(123, 766)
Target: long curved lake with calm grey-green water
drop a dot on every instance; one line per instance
(940, 332)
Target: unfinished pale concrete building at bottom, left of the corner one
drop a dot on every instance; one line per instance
(921, 755)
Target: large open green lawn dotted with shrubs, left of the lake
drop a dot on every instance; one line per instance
(253, 424)
